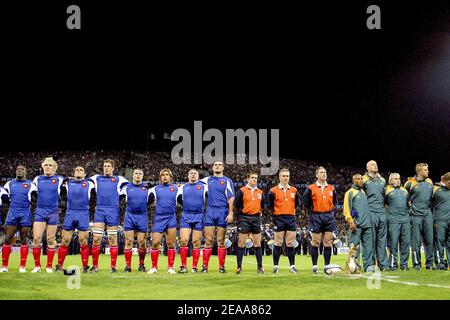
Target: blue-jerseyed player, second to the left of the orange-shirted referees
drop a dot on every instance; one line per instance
(192, 197)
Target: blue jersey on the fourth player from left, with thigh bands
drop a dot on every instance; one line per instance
(108, 189)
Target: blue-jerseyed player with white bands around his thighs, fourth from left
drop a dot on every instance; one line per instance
(107, 212)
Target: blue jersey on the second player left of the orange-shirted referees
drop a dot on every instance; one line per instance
(192, 196)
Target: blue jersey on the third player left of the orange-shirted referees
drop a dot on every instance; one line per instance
(165, 196)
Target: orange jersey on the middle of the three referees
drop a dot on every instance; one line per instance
(283, 201)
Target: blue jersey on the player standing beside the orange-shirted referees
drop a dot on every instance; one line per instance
(220, 190)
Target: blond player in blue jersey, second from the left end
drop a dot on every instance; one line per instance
(47, 213)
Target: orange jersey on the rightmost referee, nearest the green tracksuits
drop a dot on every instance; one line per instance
(320, 200)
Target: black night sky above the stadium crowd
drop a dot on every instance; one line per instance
(336, 90)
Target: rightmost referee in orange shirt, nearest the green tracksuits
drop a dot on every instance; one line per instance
(320, 199)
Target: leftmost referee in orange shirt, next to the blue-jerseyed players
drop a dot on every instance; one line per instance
(249, 202)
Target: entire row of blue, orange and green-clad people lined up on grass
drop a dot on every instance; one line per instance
(367, 207)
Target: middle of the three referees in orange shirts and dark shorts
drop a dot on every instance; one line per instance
(283, 202)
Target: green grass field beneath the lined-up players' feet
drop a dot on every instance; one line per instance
(248, 285)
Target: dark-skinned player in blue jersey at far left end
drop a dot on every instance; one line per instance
(20, 192)
